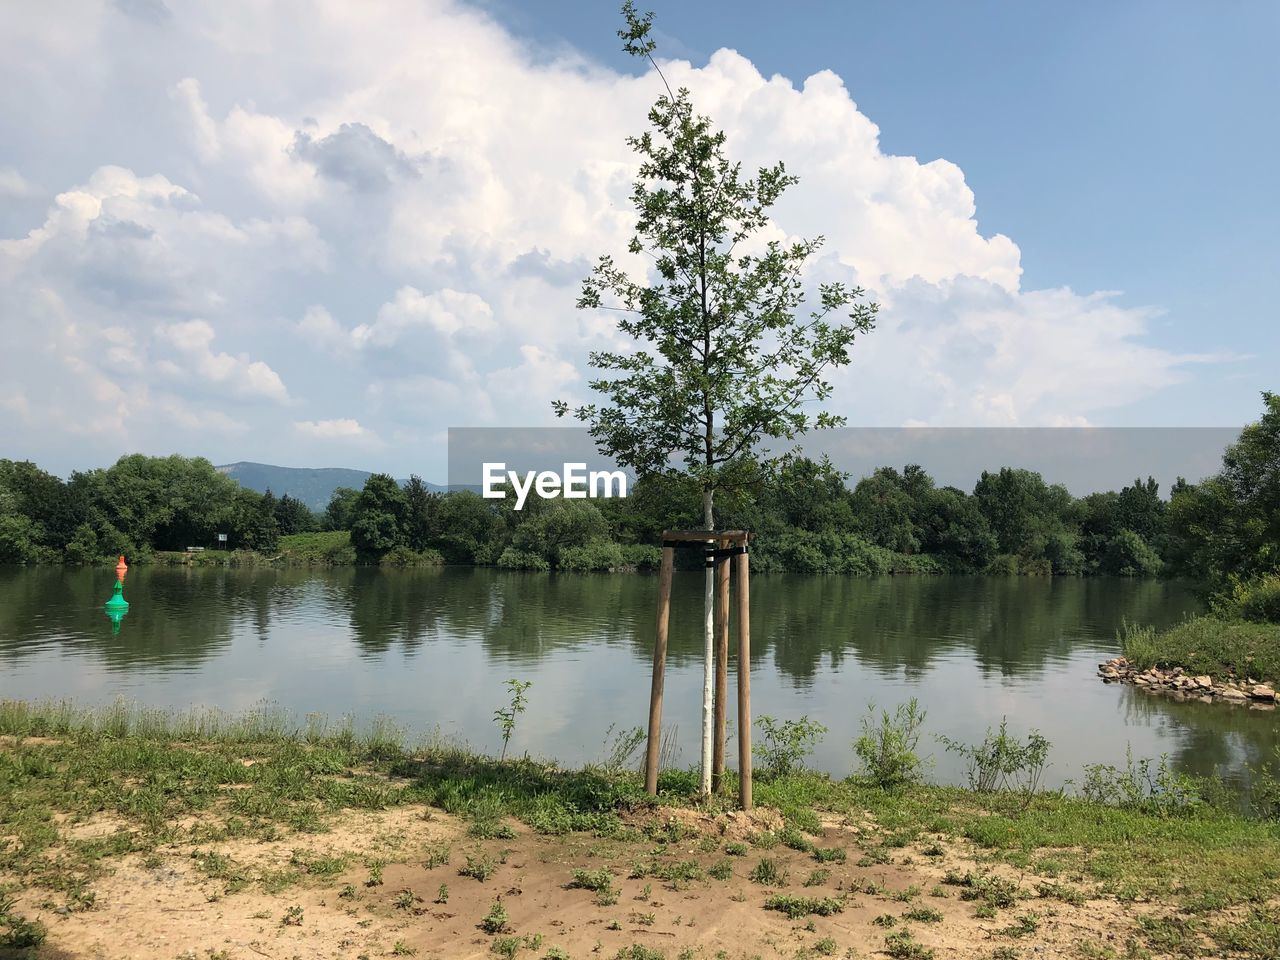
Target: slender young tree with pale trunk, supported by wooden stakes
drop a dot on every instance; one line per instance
(723, 360)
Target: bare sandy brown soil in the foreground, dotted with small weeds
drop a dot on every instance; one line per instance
(167, 908)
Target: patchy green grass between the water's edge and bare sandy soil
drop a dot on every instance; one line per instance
(152, 772)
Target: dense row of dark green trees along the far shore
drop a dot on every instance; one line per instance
(806, 515)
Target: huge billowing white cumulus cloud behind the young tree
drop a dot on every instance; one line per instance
(390, 208)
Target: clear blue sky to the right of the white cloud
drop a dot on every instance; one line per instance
(1126, 147)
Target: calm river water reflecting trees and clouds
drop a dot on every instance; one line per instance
(433, 648)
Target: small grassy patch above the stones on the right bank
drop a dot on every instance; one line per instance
(1208, 646)
